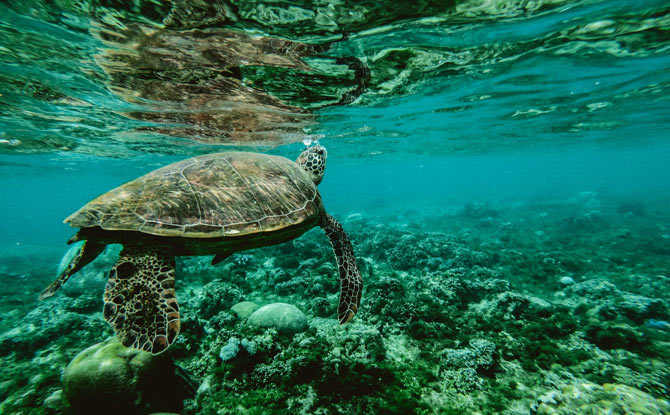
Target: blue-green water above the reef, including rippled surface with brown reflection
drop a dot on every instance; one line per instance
(423, 107)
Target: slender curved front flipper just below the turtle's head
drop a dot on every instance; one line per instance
(351, 283)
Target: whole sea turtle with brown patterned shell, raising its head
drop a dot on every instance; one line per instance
(211, 204)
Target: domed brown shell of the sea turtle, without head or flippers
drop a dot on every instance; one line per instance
(209, 196)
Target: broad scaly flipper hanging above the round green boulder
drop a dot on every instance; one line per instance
(140, 300)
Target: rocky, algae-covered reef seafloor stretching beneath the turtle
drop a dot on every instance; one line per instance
(541, 307)
